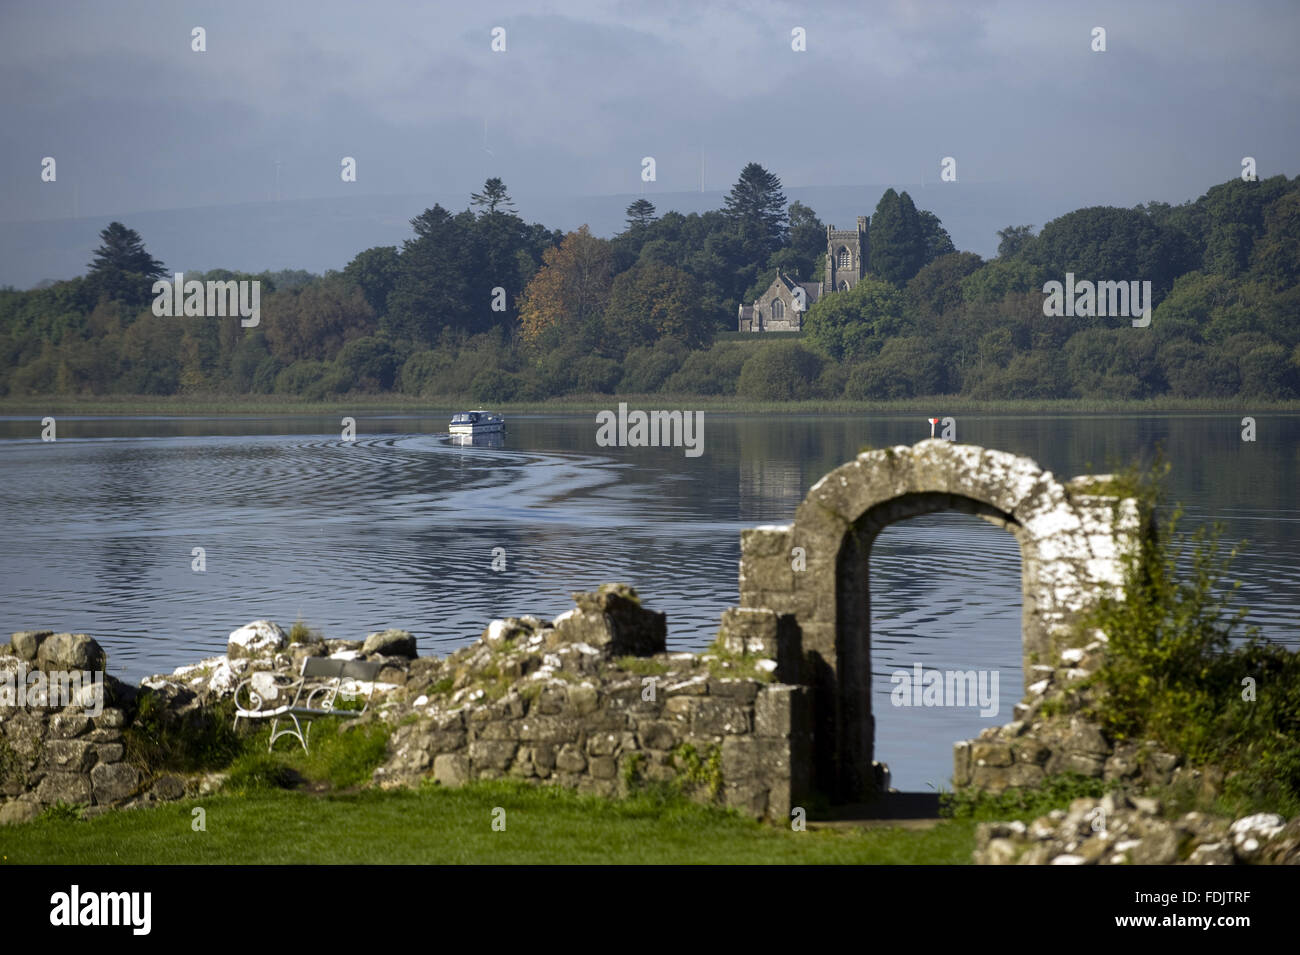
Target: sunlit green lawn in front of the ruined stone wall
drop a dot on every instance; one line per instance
(456, 826)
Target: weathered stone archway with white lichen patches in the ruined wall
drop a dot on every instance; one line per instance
(813, 575)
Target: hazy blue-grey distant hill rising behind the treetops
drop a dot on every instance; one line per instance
(319, 235)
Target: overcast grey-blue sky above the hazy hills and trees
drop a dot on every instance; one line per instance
(1013, 92)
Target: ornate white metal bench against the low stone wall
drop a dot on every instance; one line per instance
(279, 697)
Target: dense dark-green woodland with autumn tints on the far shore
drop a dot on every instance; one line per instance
(483, 307)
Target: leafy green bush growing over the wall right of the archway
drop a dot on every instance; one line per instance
(1180, 672)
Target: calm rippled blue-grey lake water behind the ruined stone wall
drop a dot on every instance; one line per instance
(398, 529)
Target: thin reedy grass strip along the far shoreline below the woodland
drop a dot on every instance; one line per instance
(405, 405)
